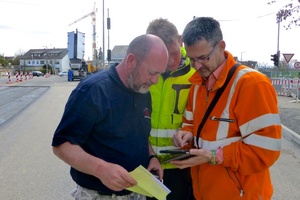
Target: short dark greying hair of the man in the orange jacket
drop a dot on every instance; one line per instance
(202, 28)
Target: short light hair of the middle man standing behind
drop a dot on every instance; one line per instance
(164, 29)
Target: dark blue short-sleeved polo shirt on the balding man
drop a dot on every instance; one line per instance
(108, 121)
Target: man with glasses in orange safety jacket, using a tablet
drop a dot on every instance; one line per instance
(241, 137)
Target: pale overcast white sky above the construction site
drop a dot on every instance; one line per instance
(249, 26)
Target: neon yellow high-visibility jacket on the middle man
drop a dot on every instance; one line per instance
(169, 99)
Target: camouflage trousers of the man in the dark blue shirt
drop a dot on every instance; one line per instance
(80, 193)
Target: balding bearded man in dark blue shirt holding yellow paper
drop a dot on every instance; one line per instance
(104, 130)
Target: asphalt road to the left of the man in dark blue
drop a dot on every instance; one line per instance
(28, 168)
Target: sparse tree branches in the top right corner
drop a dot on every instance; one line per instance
(289, 12)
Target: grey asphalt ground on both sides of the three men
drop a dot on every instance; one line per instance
(29, 170)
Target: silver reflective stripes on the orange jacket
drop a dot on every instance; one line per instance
(246, 129)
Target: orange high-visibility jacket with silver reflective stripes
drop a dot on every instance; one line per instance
(251, 141)
